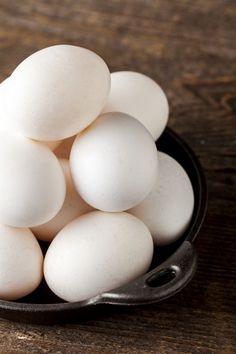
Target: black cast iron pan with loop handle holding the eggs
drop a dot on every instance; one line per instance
(172, 267)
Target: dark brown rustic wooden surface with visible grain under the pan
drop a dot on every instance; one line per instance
(189, 47)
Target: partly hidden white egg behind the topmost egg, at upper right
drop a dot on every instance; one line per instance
(141, 97)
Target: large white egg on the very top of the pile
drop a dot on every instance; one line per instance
(56, 92)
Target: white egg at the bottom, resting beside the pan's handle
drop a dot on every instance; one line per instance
(96, 253)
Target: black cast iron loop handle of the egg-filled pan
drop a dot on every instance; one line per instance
(160, 283)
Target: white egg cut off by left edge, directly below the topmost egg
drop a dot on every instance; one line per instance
(32, 184)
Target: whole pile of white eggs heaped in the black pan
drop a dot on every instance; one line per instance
(105, 207)
